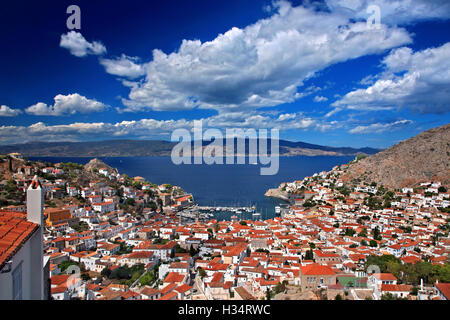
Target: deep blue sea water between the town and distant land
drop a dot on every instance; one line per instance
(221, 185)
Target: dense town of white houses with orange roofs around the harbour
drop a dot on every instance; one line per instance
(320, 249)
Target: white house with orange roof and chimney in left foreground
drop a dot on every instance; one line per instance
(23, 273)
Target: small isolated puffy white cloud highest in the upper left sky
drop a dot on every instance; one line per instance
(79, 46)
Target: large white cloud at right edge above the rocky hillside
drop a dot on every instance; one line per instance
(419, 81)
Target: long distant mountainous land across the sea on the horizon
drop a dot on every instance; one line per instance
(139, 148)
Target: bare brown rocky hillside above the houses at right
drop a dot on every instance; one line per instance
(423, 157)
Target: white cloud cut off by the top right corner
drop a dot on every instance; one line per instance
(394, 12)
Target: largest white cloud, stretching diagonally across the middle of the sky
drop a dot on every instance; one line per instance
(263, 64)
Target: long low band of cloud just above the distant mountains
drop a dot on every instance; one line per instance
(152, 128)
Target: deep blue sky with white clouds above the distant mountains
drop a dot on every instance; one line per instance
(141, 69)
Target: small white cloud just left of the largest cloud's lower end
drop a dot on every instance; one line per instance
(124, 66)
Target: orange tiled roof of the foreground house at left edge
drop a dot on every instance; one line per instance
(15, 230)
